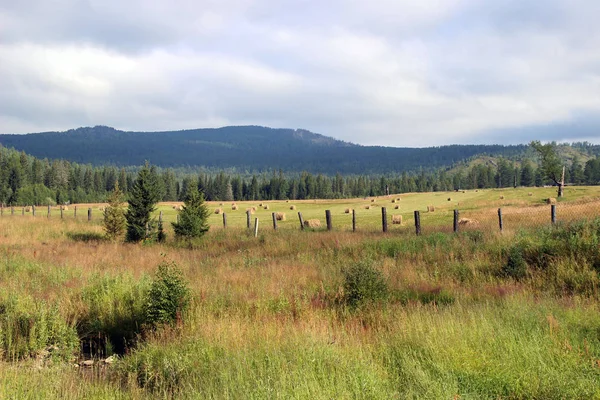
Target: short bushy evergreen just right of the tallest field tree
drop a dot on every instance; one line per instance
(193, 219)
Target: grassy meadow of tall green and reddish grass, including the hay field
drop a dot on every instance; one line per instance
(313, 314)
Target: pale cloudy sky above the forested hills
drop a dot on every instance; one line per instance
(402, 73)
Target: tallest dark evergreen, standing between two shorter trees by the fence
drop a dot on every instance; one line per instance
(144, 195)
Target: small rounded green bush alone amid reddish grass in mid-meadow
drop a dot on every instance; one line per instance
(363, 284)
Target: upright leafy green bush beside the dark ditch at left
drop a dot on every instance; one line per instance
(169, 295)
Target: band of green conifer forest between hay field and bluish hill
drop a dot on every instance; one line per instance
(26, 180)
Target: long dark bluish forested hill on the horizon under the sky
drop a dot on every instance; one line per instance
(252, 148)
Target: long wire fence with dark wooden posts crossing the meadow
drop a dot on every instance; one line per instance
(424, 221)
